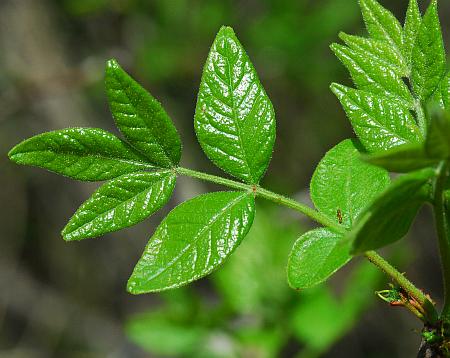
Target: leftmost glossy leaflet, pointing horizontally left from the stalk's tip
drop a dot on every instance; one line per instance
(89, 154)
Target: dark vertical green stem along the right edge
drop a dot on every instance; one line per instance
(440, 217)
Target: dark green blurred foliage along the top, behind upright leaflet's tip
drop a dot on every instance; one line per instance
(283, 33)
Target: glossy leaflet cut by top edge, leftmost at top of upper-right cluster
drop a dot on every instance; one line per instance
(382, 24)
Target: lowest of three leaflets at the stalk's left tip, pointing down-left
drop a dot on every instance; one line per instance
(120, 203)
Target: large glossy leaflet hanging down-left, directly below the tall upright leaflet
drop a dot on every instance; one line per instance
(195, 238)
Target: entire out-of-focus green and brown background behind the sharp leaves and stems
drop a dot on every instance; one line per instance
(69, 300)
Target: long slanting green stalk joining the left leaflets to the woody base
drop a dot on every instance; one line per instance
(372, 256)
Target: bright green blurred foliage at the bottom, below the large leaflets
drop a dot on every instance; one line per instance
(254, 313)
